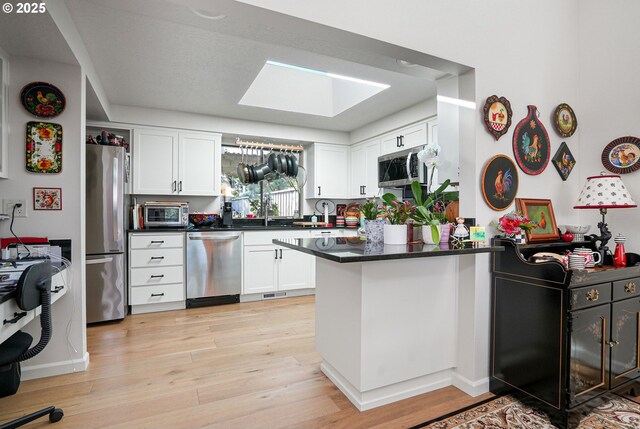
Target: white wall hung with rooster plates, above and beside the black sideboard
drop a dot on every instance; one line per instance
(525, 51)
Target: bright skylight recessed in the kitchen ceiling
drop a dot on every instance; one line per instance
(292, 88)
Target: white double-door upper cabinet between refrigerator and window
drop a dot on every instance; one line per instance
(172, 162)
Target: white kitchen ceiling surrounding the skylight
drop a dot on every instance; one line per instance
(159, 54)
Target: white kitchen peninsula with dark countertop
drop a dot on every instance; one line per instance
(386, 316)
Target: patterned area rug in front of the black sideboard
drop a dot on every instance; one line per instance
(506, 412)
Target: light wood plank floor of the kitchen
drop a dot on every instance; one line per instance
(249, 365)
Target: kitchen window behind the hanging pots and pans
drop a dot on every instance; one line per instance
(280, 194)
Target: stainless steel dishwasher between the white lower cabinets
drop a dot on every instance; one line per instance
(214, 268)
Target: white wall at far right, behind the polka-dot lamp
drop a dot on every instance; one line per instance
(608, 107)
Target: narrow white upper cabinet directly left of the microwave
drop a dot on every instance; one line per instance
(363, 180)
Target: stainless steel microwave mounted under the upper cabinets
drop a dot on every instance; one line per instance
(401, 168)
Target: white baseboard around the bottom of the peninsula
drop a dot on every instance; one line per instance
(388, 394)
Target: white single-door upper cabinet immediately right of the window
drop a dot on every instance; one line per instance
(327, 170)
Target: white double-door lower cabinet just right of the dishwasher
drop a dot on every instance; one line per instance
(270, 268)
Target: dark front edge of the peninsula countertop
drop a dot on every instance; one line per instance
(367, 258)
